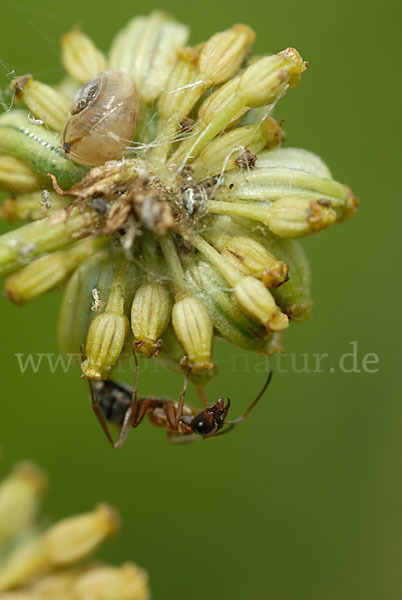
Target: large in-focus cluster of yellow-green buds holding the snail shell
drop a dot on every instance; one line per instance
(159, 192)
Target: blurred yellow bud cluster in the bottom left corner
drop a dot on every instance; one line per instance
(37, 564)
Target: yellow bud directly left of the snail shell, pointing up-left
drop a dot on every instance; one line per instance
(46, 103)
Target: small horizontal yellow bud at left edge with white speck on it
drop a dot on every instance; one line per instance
(31, 207)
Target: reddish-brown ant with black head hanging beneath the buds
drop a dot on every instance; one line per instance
(119, 404)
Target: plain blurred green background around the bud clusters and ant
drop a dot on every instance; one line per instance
(304, 500)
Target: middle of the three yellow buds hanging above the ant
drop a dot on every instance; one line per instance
(150, 314)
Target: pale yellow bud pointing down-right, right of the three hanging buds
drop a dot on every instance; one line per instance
(256, 301)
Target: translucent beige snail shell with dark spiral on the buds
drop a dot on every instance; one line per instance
(103, 119)
